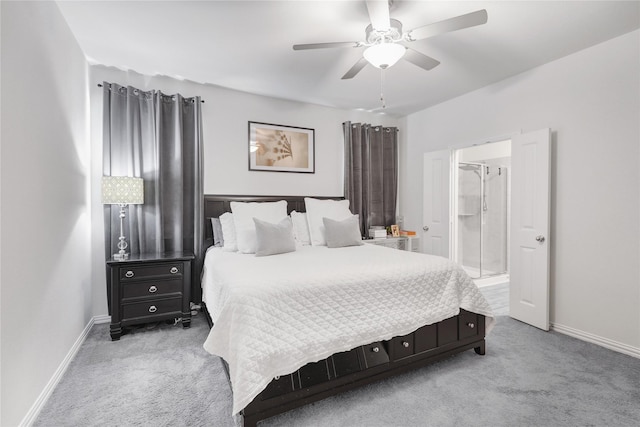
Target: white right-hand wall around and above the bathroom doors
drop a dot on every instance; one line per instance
(591, 101)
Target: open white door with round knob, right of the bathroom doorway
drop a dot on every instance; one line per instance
(529, 274)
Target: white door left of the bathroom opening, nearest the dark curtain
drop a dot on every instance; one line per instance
(436, 209)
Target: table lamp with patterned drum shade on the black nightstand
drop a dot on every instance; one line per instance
(123, 191)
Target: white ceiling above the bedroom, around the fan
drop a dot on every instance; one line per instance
(247, 45)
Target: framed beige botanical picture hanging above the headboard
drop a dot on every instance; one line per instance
(278, 148)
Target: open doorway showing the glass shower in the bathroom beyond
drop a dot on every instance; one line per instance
(481, 197)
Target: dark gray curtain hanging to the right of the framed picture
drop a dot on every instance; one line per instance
(371, 173)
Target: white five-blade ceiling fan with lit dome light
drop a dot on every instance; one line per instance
(384, 35)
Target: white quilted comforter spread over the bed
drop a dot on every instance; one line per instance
(274, 314)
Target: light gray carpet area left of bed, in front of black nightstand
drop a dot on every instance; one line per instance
(151, 377)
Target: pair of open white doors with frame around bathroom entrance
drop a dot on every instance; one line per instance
(528, 163)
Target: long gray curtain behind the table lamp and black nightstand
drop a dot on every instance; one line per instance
(158, 138)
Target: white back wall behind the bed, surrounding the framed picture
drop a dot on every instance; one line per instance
(225, 116)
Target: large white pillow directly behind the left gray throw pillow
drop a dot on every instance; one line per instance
(243, 215)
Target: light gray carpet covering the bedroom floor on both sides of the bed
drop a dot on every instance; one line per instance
(162, 377)
